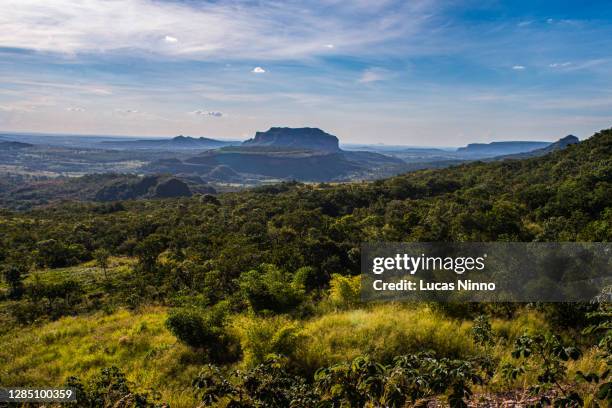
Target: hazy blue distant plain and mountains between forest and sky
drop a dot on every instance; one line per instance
(280, 153)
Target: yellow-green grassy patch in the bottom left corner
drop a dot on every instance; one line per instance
(137, 343)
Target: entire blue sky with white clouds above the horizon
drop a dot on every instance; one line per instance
(423, 72)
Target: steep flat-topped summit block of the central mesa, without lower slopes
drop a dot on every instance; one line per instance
(303, 138)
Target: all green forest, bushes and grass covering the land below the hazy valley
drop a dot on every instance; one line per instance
(252, 298)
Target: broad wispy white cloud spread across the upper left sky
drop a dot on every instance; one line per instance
(208, 29)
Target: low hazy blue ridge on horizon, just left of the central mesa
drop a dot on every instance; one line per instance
(177, 143)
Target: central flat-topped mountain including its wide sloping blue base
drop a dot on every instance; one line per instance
(306, 154)
